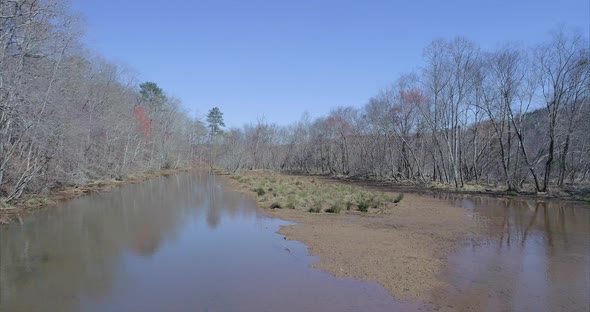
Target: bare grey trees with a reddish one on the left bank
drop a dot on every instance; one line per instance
(68, 117)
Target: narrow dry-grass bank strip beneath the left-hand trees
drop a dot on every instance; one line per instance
(14, 211)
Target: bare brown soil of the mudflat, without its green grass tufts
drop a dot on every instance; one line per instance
(402, 246)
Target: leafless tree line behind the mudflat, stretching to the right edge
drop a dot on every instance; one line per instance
(514, 116)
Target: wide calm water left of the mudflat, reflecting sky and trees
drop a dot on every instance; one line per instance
(178, 243)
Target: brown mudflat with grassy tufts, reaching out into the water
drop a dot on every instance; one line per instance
(398, 240)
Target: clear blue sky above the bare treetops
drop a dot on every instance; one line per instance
(279, 58)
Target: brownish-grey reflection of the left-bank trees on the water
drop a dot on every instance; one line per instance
(73, 250)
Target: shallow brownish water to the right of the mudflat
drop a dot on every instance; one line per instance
(534, 256)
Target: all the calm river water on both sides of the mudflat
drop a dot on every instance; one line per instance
(187, 243)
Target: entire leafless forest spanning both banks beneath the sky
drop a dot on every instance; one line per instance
(517, 117)
